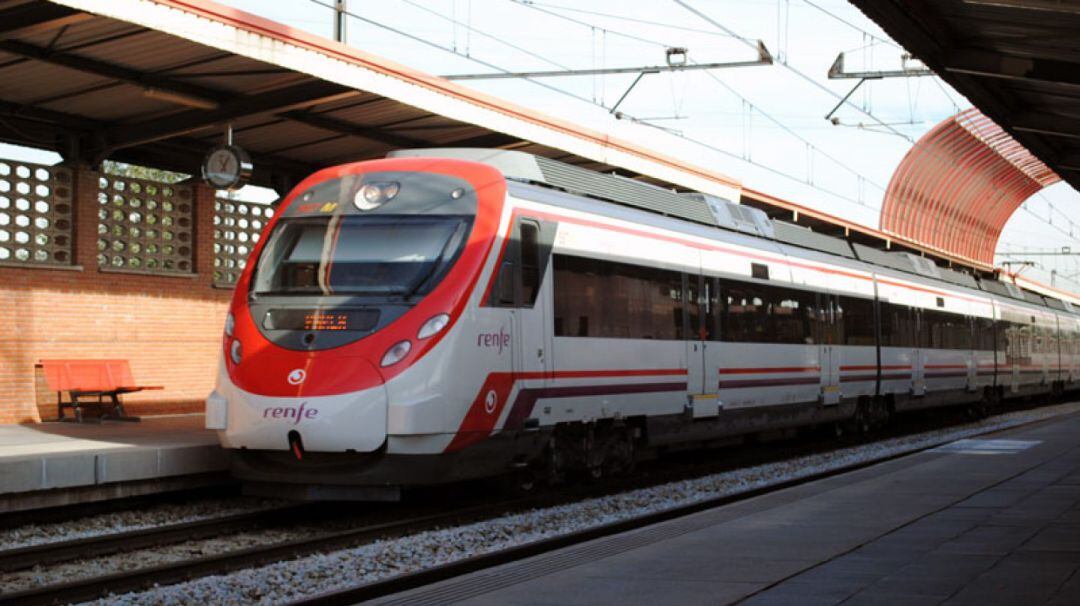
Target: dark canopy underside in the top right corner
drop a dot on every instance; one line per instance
(1018, 61)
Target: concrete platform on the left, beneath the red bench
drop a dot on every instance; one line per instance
(58, 464)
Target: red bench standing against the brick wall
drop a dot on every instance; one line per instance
(98, 383)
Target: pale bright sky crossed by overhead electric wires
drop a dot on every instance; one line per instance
(764, 126)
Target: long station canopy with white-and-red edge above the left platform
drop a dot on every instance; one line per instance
(158, 84)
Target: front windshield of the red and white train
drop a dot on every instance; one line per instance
(359, 255)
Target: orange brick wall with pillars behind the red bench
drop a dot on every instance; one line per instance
(169, 328)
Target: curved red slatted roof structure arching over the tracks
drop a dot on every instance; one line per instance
(957, 187)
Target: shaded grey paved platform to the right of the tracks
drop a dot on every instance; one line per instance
(989, 522)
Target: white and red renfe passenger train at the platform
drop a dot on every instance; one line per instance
(447, 315)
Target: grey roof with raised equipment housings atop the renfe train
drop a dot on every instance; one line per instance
(717, 212)
